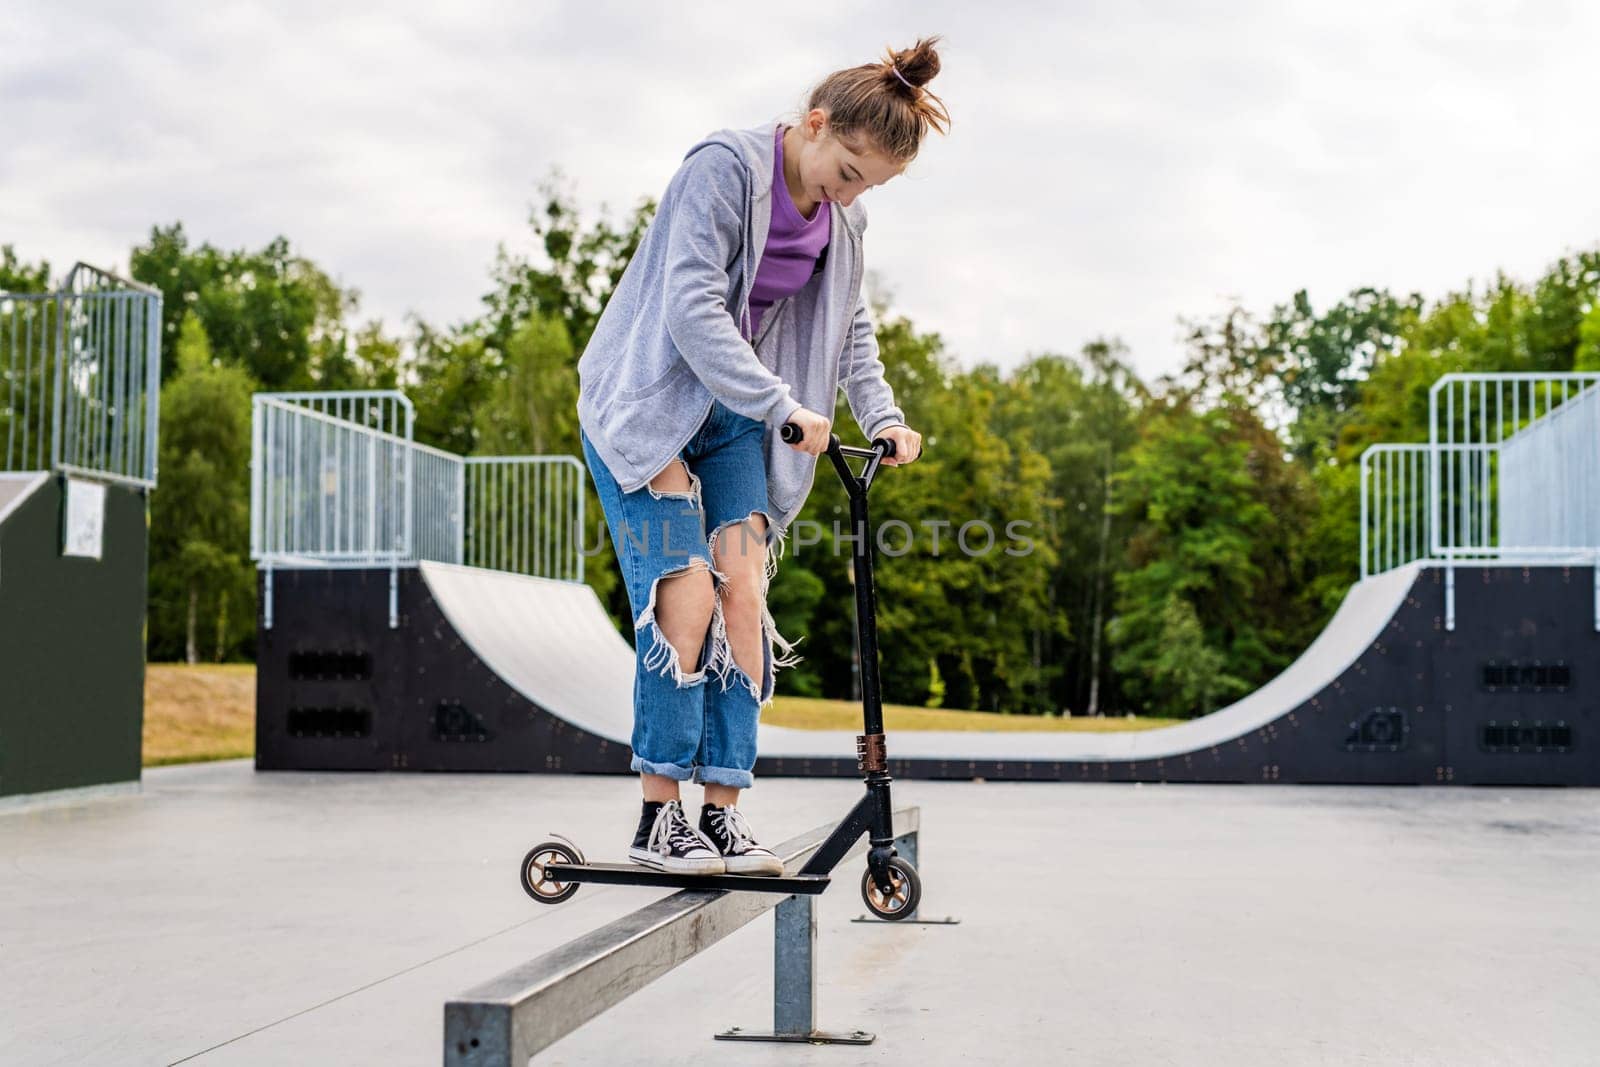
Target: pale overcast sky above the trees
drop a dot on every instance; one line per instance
(1111, 167)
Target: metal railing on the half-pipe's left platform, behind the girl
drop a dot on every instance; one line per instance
(337, 481)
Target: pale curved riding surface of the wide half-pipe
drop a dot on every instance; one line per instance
(554, 642)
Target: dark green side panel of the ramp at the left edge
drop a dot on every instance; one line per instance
(71, 647)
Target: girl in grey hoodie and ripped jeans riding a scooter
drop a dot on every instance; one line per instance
(742, 311)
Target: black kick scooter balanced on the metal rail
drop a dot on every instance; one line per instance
(553, 871)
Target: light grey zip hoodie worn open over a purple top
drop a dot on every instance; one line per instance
(674, 335)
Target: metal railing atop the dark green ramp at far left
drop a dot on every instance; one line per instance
(81, 378)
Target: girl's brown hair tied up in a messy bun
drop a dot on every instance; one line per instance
(871, 102)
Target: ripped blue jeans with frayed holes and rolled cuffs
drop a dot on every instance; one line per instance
(697, 724)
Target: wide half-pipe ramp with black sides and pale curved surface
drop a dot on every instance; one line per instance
(508, 673)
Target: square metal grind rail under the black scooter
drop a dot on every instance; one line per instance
(529, 1009)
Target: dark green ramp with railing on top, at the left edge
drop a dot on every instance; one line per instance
(79, 406)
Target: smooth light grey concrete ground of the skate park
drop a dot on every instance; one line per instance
(228, 917)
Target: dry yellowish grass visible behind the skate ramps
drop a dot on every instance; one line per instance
(209, 713)
